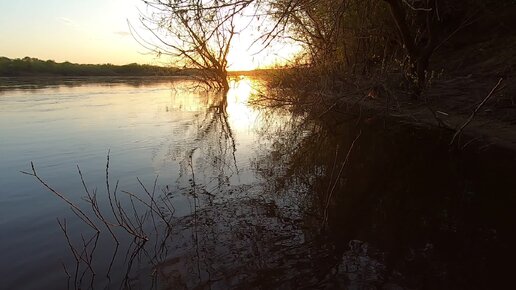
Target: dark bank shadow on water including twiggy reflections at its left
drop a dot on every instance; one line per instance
(404, 212)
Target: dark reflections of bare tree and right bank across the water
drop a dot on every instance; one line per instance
(394, 210)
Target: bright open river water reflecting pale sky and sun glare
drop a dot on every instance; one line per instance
(150, 129)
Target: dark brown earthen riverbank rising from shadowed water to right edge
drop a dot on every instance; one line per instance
(484, 118)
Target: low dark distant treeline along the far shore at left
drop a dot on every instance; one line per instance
(28, 66)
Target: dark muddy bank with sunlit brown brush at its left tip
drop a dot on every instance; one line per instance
(486, 116)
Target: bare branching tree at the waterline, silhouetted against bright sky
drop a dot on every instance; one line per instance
(196, 33)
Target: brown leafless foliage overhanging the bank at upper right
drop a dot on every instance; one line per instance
(371, 37)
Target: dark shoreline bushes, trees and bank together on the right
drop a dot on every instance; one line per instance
(467, 84)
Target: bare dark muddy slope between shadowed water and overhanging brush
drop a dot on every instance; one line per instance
(490, 124)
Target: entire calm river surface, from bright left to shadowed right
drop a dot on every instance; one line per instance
(245, 196)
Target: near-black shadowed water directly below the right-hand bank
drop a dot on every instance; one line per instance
(404, 211)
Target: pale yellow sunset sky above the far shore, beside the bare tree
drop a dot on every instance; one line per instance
(90, 31)
